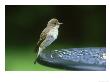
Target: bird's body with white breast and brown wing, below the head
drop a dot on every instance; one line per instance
(47, 37)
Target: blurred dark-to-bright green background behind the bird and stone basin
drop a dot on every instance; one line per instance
(83, 26)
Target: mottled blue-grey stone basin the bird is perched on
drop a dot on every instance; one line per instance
(75, 59)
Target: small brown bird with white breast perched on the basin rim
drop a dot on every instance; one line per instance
(48, 35)
